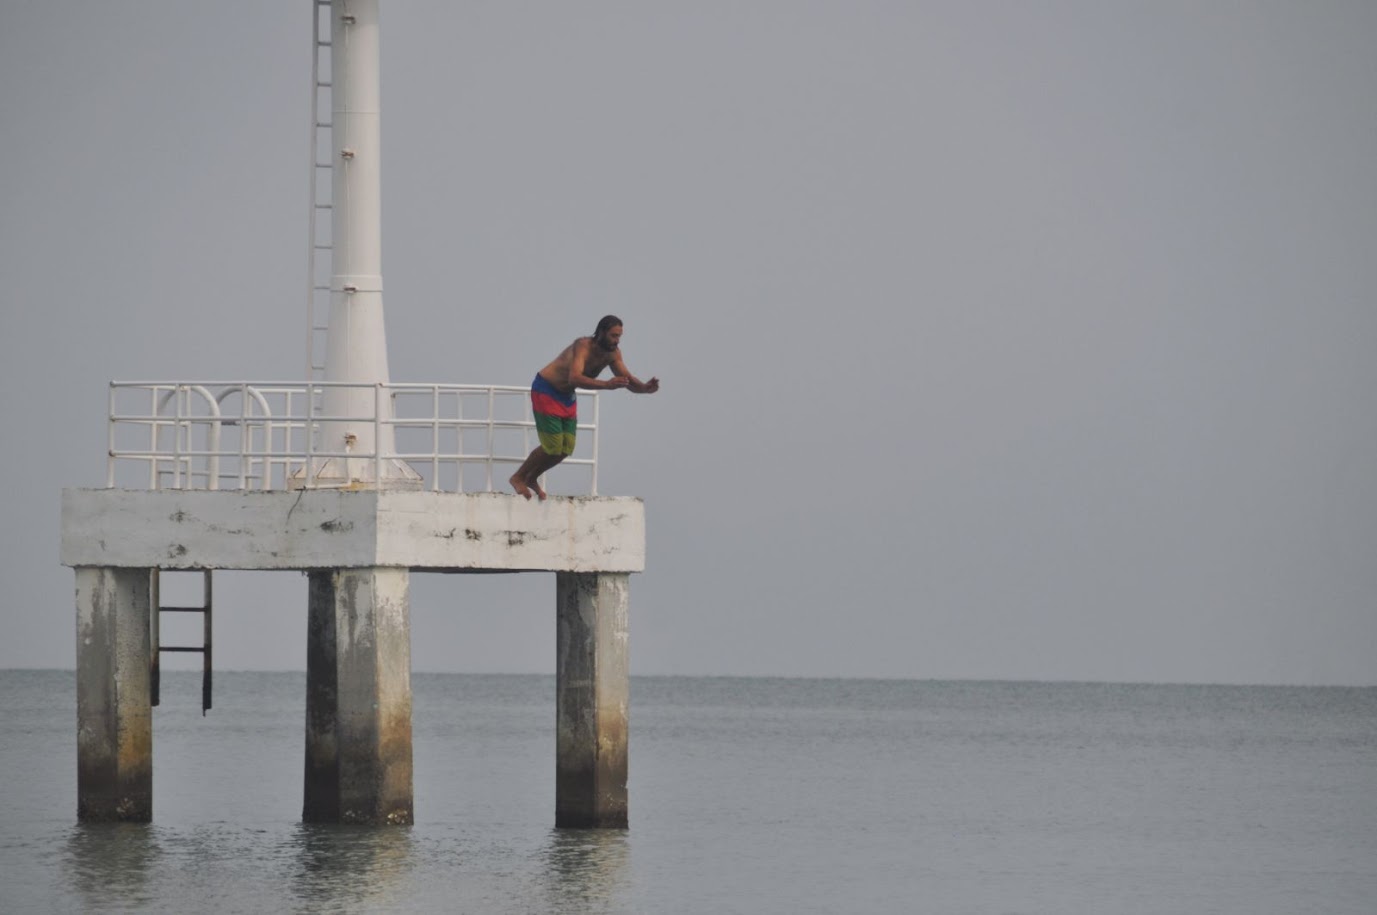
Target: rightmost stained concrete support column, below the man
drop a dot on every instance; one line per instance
(591, 699)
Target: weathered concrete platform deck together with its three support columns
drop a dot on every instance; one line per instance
(360, 549)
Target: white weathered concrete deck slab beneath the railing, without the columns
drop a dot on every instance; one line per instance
(323, 528)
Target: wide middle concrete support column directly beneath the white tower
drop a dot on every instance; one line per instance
(359, 698)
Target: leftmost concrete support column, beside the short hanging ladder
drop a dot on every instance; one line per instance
(115, 716)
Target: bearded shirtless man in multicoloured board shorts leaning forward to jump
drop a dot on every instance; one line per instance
(556, 403)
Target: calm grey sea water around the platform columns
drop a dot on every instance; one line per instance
(747, 796)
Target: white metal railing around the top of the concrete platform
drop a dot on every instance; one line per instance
(268, 435)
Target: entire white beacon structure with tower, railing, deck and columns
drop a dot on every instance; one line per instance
(308, 477)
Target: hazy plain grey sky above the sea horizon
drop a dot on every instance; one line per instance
(998, 340)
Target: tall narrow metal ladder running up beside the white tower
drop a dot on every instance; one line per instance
(322, 253)
